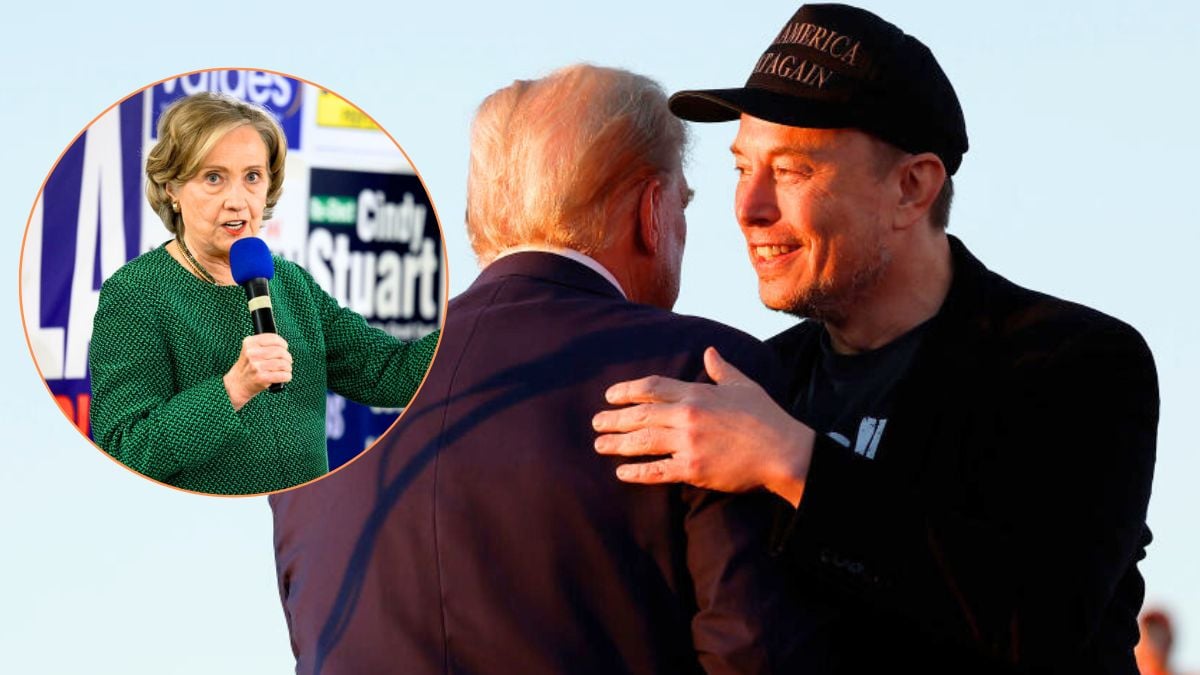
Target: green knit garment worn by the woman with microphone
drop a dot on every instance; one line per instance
(164, 341)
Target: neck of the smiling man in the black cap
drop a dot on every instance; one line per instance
(909, 295)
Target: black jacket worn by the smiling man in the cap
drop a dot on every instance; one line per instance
(1000, 525)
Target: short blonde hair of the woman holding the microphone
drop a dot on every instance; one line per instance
(189, 130)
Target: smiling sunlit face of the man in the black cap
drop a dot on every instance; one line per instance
(813, 205)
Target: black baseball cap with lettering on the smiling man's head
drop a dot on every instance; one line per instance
(836, 67)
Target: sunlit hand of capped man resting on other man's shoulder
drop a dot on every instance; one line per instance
(729, 437)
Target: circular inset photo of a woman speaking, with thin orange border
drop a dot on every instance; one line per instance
(233, 282)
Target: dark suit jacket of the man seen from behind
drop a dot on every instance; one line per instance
(484, 534)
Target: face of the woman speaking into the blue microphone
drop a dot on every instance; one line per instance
(225, 200)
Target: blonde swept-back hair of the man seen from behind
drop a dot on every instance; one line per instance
(551, 160)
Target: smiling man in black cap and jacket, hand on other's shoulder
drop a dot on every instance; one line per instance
(970, 463)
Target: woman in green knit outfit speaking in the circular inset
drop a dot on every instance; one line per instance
(179, 383)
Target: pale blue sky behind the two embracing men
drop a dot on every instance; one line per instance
(1081, 182)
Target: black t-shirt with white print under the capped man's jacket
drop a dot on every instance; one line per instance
(850, 397)
